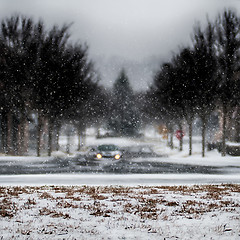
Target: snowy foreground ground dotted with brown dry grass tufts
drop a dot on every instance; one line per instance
(116, 212)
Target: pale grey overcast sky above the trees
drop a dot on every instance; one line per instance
(136, 34)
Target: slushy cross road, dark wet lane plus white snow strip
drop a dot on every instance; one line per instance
(139, 171)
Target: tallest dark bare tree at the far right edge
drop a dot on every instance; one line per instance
(228, 30)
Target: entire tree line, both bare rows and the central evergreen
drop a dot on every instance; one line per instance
(46, 81)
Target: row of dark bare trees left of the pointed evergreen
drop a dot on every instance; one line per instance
(45, 80)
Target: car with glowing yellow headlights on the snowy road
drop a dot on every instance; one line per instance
(105, 151)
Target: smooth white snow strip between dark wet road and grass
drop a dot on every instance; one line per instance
(116, 179)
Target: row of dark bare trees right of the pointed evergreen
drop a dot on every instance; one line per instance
(201, 79)
